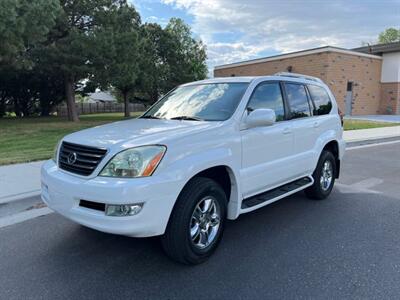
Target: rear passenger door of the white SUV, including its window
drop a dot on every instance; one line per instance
(305, 127)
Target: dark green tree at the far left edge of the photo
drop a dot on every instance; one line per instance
(24, 25)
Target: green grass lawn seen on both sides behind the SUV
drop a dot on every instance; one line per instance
(30, 139)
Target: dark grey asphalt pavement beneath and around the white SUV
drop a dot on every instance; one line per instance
(347, 246)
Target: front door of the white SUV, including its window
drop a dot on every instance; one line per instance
(266, 150)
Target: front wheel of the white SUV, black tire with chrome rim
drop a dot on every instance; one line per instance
(181, 241)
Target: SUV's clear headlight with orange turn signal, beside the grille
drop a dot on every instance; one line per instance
(134, 162)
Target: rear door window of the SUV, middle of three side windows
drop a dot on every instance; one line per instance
(298, 100)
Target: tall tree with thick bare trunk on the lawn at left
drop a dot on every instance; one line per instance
(72, 44)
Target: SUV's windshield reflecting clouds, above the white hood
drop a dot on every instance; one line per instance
(208, 102)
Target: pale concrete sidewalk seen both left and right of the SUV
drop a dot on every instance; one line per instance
(23, 180)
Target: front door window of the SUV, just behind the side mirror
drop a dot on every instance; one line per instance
(268, 95)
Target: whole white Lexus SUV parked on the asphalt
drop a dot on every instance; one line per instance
(206, 152)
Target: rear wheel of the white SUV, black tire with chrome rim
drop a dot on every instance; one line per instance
(322, 187)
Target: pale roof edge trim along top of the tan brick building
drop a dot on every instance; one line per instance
(297, 54)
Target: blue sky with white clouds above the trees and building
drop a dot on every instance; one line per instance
(238, 30)
